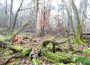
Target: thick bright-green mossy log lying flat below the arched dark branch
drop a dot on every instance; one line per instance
(56, 58)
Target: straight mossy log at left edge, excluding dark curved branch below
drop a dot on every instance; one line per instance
(16, 48)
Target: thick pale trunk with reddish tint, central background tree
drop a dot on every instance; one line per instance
(42, 18)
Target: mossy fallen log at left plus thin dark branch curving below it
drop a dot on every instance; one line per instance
(24, 52)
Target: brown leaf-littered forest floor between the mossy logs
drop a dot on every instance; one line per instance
(34, 42)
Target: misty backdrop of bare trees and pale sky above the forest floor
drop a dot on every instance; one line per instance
(45, 16)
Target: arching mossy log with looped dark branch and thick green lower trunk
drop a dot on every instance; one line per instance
(54, 57)
